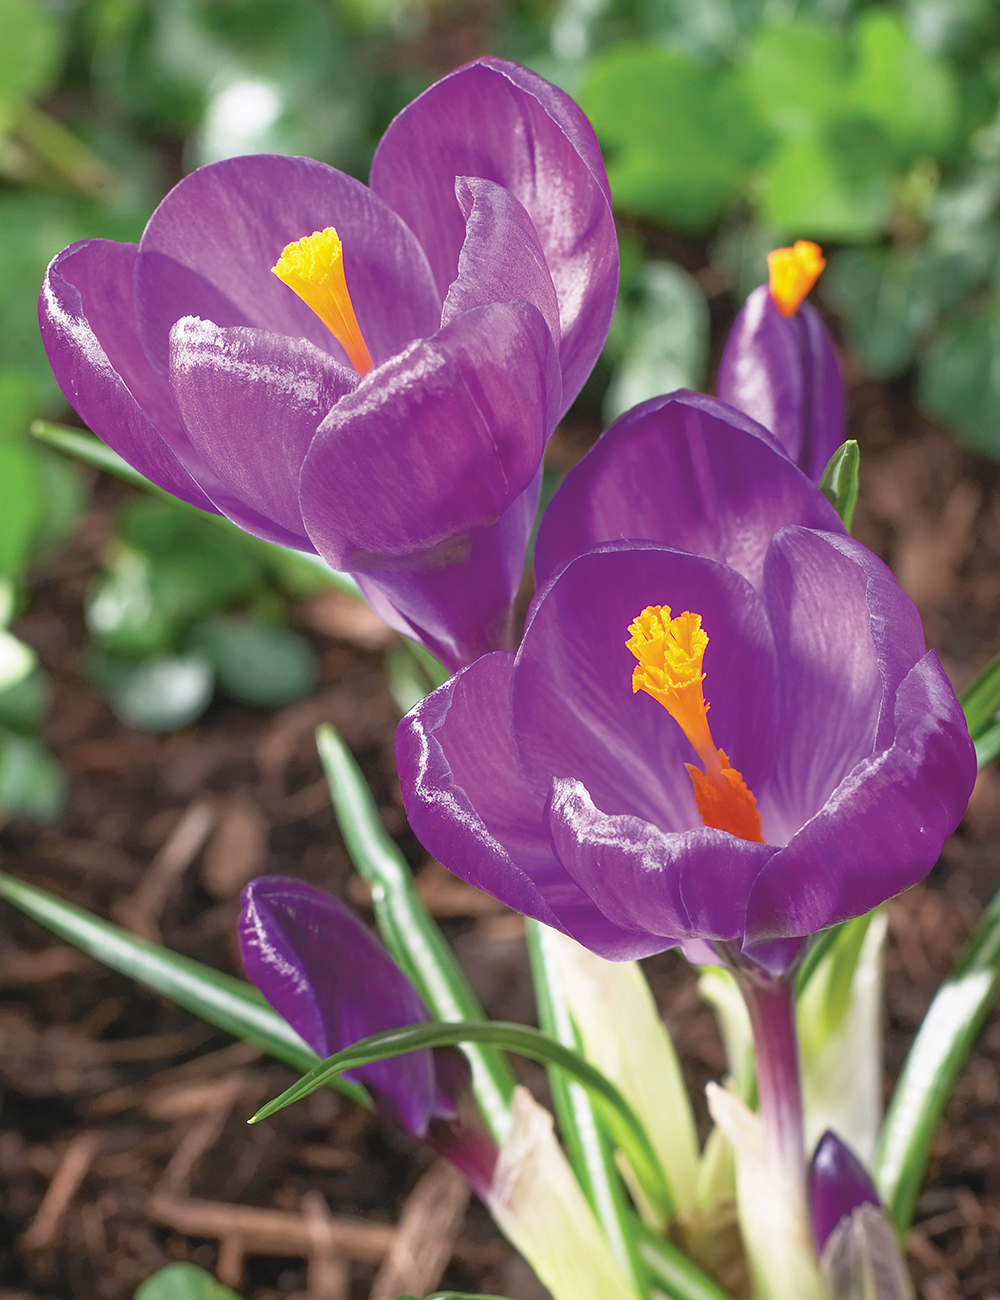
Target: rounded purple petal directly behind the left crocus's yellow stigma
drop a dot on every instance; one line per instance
(210, 246)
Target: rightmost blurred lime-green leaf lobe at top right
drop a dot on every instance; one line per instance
(910, 93)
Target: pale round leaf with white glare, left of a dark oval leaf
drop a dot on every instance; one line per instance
(158, 695)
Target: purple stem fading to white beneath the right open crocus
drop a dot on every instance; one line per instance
(770, 1002)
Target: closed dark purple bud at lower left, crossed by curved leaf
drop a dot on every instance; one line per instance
(330, 978)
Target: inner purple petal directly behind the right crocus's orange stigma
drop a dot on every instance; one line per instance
(573, 703)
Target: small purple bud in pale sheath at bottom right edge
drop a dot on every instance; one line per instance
(858, 1247)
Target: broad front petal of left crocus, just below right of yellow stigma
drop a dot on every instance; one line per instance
(434, 445)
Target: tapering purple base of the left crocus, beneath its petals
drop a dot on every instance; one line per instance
(464, 608)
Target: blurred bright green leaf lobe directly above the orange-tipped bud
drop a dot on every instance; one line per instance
(833, 184)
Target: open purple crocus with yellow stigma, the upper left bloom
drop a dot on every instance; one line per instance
(384, 398)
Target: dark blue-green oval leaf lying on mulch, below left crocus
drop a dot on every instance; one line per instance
(256, 662)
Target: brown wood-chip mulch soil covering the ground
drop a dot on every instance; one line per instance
(123, 1136)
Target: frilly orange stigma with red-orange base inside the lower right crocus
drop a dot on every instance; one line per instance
(670, 655)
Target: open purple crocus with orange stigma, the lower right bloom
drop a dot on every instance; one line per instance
(544, 781)
